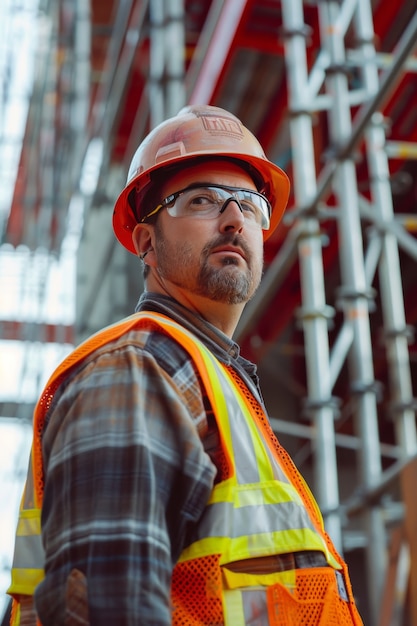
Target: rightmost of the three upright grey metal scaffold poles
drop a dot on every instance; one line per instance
(389, 268)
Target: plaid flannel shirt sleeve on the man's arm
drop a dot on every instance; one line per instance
(126, 479)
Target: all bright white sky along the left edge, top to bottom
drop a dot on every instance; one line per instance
(35, 286)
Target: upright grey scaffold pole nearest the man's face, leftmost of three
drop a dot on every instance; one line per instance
(314, 311)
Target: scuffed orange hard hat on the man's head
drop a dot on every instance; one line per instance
(198, 132)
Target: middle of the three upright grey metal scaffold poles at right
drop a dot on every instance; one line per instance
(355, 294)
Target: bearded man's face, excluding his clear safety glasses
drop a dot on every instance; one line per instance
(220, 258)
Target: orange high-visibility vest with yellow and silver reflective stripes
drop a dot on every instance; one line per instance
(263, 508)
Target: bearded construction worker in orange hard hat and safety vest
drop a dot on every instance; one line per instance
(156, 484)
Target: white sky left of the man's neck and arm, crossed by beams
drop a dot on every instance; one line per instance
(34, 287)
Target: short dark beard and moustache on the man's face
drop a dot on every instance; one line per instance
(229, 284)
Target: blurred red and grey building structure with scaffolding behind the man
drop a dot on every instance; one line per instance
(329, 88)
